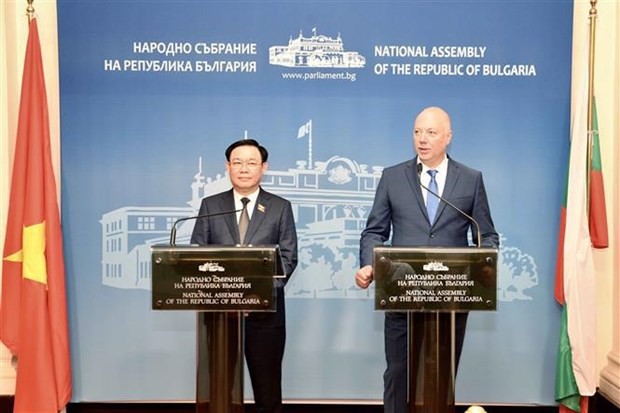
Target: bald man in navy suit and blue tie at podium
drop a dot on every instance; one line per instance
(400, 212)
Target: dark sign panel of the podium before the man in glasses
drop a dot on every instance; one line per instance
(216, 278)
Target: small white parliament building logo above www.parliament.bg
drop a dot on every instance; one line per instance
(317, 50)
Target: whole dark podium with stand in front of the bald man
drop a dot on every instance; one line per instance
(434, 285)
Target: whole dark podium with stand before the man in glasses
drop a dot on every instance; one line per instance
(221, 284)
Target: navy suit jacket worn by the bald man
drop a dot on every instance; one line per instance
(399, 210)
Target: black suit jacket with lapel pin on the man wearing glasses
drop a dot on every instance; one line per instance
(272, 222)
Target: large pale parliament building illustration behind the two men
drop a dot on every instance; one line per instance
(331, 200)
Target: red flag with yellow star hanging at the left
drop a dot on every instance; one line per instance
(33, 310)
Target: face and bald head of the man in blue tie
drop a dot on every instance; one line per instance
(431, 136)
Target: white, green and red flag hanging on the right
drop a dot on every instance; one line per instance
(575, 283)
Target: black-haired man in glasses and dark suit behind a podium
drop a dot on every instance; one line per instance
(271, 222)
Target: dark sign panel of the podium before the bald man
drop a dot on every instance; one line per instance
(435, 279)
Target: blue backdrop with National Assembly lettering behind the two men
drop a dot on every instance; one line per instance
(153, 92)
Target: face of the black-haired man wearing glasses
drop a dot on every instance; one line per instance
(245, 169)
